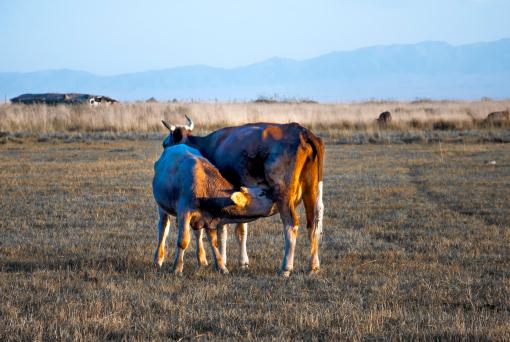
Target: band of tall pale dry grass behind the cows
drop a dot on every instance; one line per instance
(331, 119)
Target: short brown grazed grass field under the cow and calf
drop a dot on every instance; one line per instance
(416, 246)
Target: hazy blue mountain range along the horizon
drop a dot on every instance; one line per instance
(429, 69)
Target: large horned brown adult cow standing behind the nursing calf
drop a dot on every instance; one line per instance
(285, 160)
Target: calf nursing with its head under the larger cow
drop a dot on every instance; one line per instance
(188, 186)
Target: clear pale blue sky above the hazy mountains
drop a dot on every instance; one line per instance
(110, 37)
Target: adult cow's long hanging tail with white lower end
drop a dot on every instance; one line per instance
(318, 158)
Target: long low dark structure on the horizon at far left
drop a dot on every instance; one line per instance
(56, 98)
